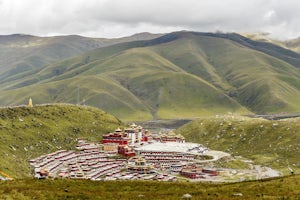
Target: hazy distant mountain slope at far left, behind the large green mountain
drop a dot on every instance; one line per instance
(21, 55)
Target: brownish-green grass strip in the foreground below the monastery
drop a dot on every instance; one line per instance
(279, 188)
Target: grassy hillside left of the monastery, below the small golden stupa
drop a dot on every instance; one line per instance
(27, 133)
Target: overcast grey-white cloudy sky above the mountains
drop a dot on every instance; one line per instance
(117, 18)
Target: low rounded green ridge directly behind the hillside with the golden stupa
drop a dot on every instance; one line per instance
(104, 94)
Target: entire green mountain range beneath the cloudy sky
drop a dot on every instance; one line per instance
(146, 76)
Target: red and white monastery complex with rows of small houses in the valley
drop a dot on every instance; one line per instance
(131, 153)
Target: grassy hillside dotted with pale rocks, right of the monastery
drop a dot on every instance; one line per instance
(267, 142)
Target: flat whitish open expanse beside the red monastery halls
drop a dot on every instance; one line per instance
(167, 147)
